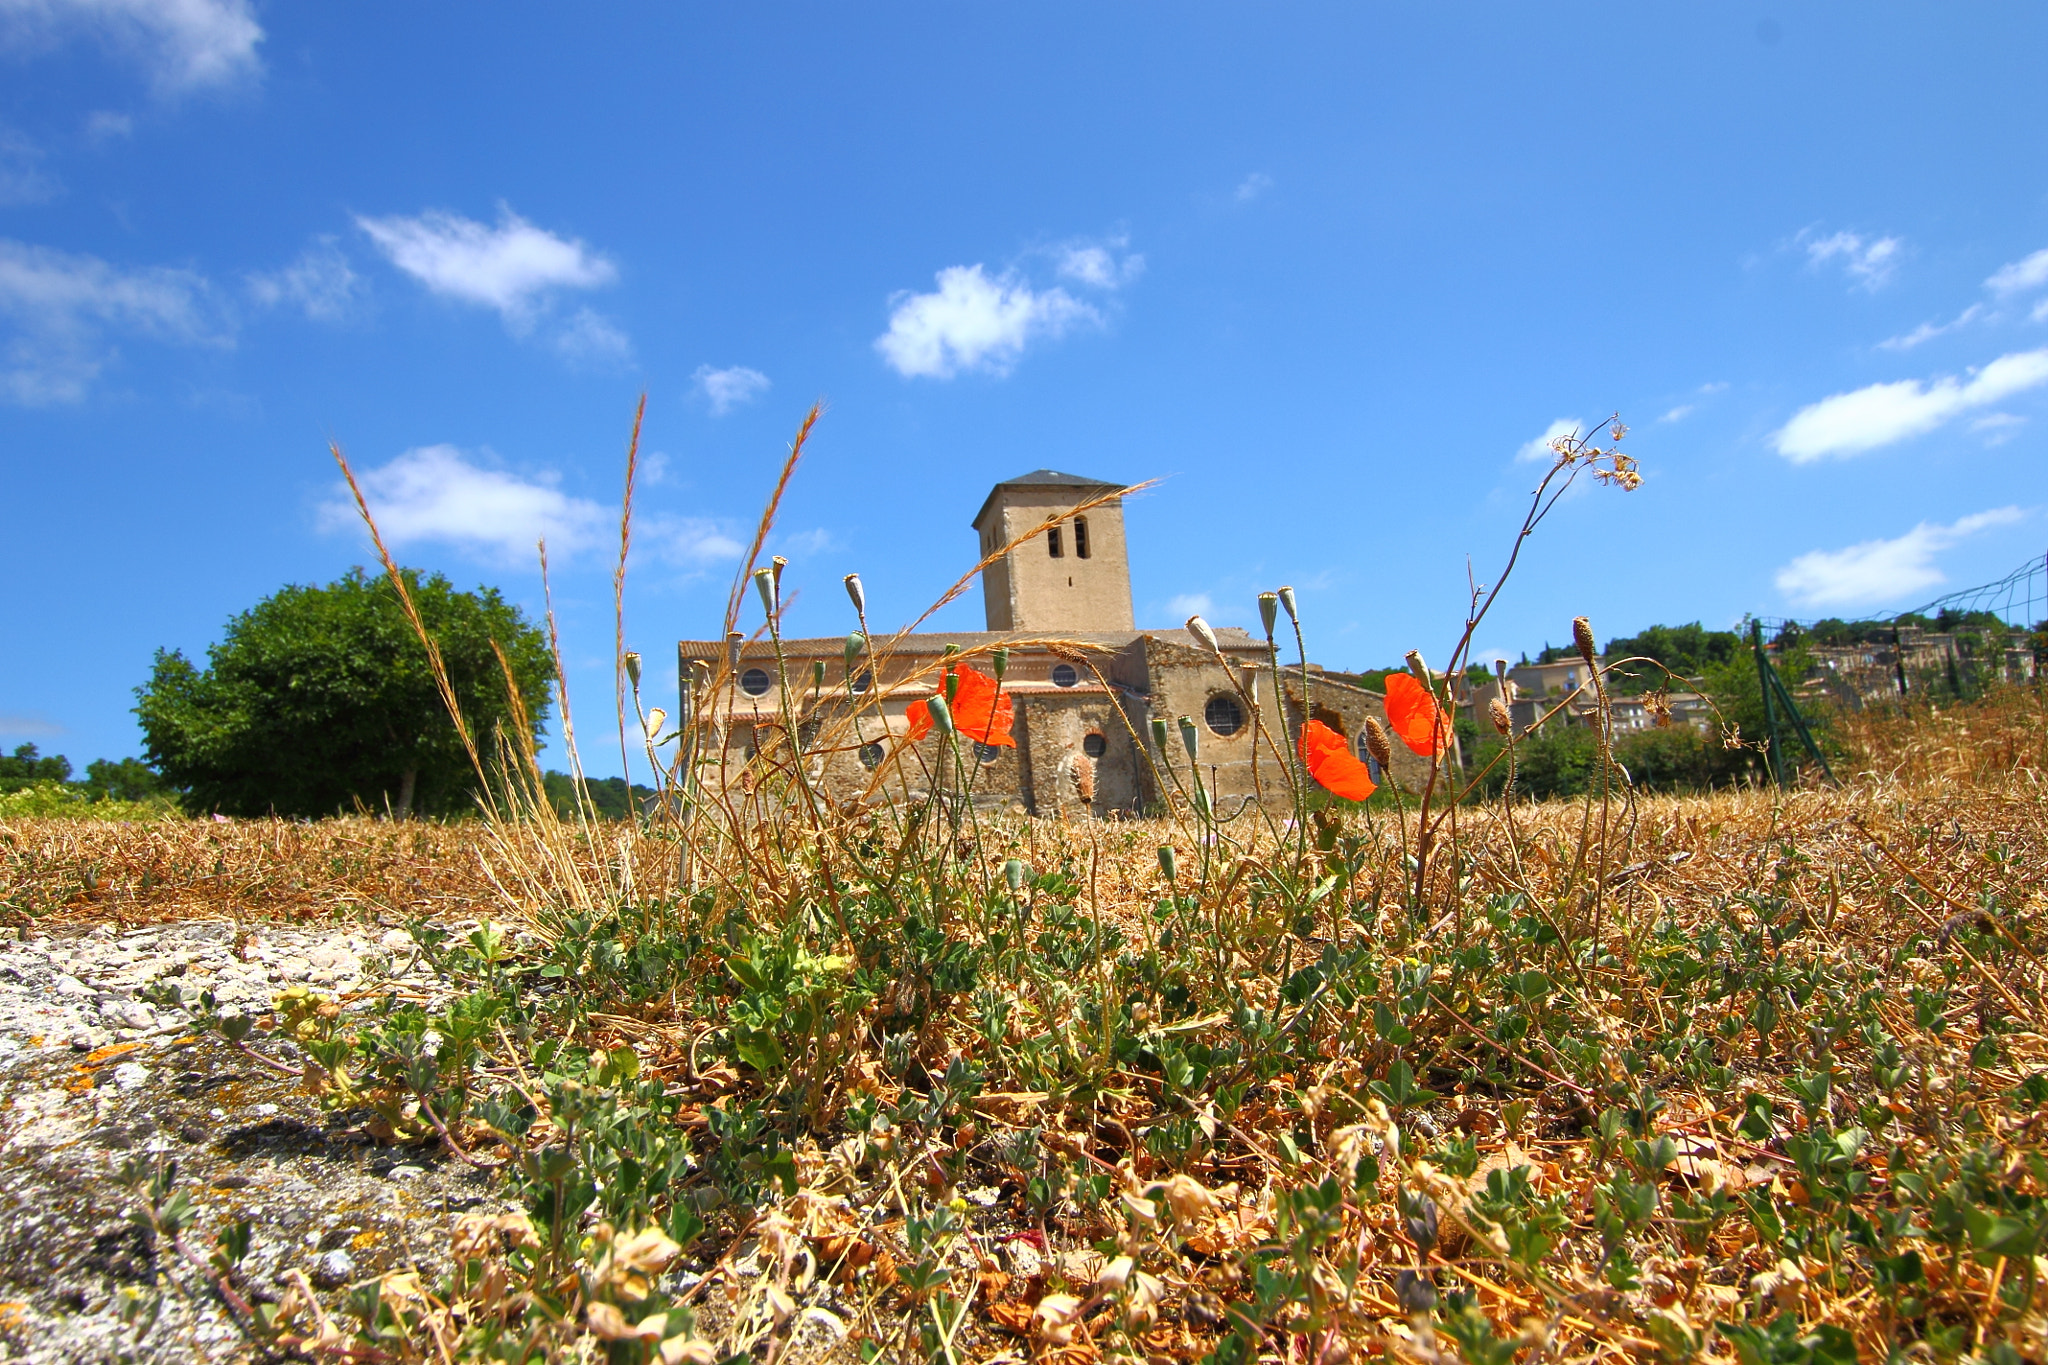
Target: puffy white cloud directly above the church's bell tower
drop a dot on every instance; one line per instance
(974, 322)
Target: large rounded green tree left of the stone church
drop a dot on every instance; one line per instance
(321, 699)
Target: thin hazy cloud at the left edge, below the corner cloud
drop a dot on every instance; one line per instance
(60, 310)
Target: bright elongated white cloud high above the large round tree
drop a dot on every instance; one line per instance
(513, 267)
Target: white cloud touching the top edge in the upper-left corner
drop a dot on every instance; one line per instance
(183, 44)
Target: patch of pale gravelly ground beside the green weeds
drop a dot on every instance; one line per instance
(93, 1075)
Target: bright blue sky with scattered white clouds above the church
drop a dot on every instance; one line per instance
(1324, 269)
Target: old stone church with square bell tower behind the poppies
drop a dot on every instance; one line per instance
(1084, 682)
